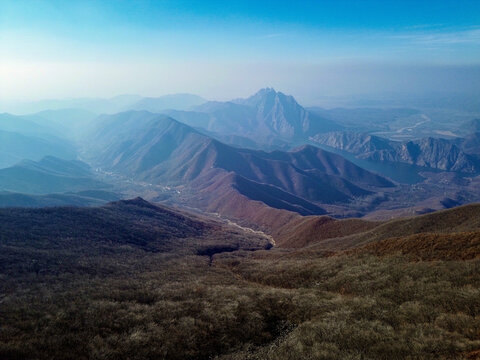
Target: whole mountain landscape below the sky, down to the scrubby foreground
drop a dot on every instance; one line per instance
(246, 229)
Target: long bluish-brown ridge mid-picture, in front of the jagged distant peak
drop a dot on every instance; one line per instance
(159, 150)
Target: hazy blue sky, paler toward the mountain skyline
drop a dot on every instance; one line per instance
(227, 49)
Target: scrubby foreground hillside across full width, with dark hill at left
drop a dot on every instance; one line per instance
(131, 280)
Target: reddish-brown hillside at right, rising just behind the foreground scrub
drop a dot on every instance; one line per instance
(447, 234)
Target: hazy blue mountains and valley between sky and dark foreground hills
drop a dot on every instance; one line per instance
(240, 157)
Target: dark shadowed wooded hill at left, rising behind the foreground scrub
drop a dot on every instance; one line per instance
(134, 222)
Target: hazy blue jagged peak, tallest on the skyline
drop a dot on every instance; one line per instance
(264, 117)
